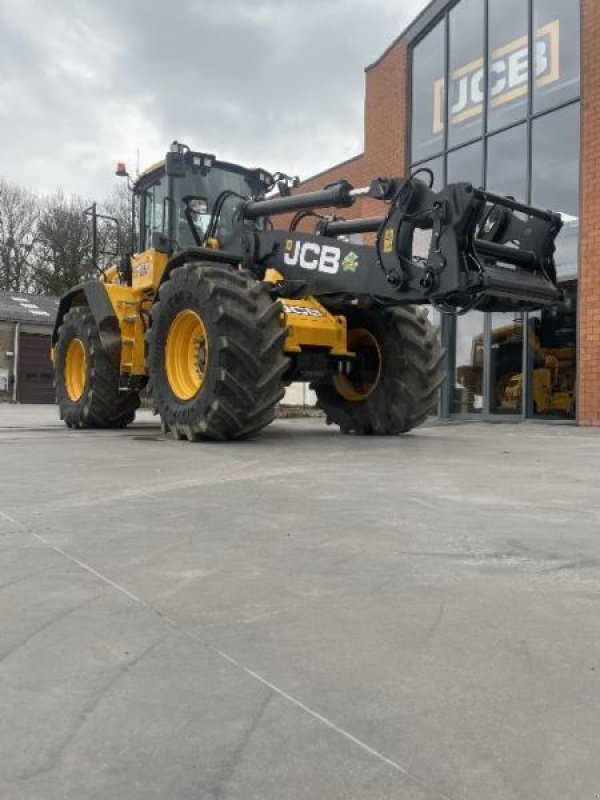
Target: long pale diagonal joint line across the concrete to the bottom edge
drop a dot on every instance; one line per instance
(234, 663)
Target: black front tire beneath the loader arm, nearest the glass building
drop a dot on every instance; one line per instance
(410, 374)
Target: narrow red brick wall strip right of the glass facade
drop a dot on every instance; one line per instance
(589, 288)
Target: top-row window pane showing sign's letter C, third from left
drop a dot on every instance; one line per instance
(508, 62)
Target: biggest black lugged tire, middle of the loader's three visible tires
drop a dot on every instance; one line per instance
(243, 366)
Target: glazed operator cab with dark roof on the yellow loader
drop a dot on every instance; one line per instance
(175, 199)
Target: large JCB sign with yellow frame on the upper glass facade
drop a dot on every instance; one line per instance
(508, 77)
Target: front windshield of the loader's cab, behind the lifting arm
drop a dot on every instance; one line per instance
(209, 186)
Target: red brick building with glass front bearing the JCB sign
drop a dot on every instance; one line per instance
(504, 94)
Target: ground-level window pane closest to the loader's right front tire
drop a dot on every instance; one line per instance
(468, 378)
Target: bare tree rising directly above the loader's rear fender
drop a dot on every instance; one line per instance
(63, 245)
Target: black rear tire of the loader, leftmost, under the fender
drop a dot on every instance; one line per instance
(101, 404)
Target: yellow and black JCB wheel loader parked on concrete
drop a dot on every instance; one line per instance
(218, 306)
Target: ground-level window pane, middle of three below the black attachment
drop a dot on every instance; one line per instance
(506, 363)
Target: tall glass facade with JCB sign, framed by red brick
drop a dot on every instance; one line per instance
(495, 87)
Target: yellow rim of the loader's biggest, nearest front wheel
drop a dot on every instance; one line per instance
(186, 355)
